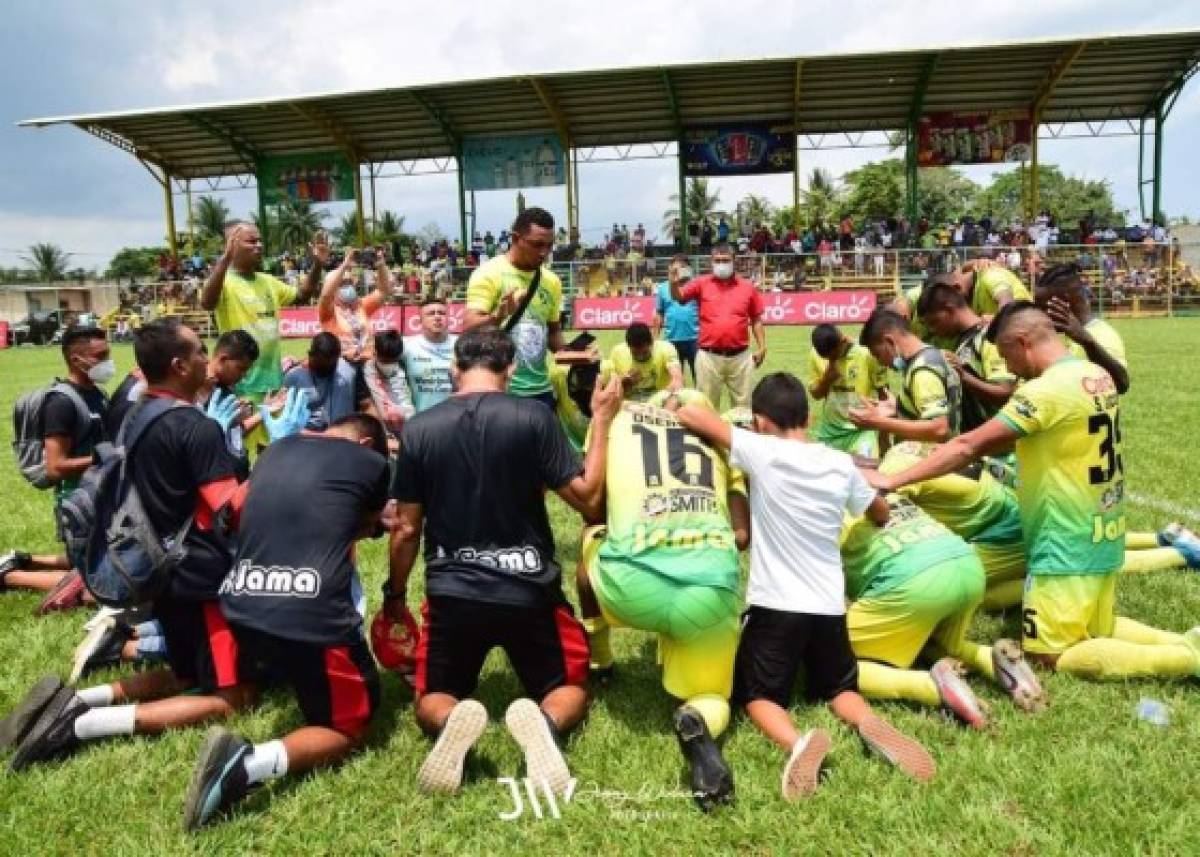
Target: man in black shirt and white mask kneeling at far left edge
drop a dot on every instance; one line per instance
(70, 439)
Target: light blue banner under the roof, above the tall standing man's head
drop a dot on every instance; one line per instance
(494, 164)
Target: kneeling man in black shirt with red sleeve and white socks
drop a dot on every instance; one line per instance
(182, 471)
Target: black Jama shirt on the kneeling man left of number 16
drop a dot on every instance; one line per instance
(479, 465)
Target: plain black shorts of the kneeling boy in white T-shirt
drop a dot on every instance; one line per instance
(775, 648)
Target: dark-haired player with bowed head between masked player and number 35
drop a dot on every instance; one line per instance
(987, 382)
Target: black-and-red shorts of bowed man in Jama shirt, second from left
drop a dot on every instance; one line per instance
(338, 687)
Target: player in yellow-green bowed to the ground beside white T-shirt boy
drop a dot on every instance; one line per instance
(915, 588)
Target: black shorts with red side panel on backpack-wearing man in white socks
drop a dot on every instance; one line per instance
(201, 649)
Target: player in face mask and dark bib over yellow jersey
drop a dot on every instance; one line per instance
(929, 403)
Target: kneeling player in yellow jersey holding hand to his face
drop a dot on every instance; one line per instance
(843, 375)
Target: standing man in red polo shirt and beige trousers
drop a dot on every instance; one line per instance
(729, 305)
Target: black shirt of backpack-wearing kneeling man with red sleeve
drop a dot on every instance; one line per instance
(179, 453)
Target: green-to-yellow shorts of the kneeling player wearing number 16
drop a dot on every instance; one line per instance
(698, 626)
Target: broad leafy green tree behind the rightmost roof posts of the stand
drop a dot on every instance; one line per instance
(1066, 197)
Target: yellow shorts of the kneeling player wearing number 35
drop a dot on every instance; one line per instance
(1063, 610)
